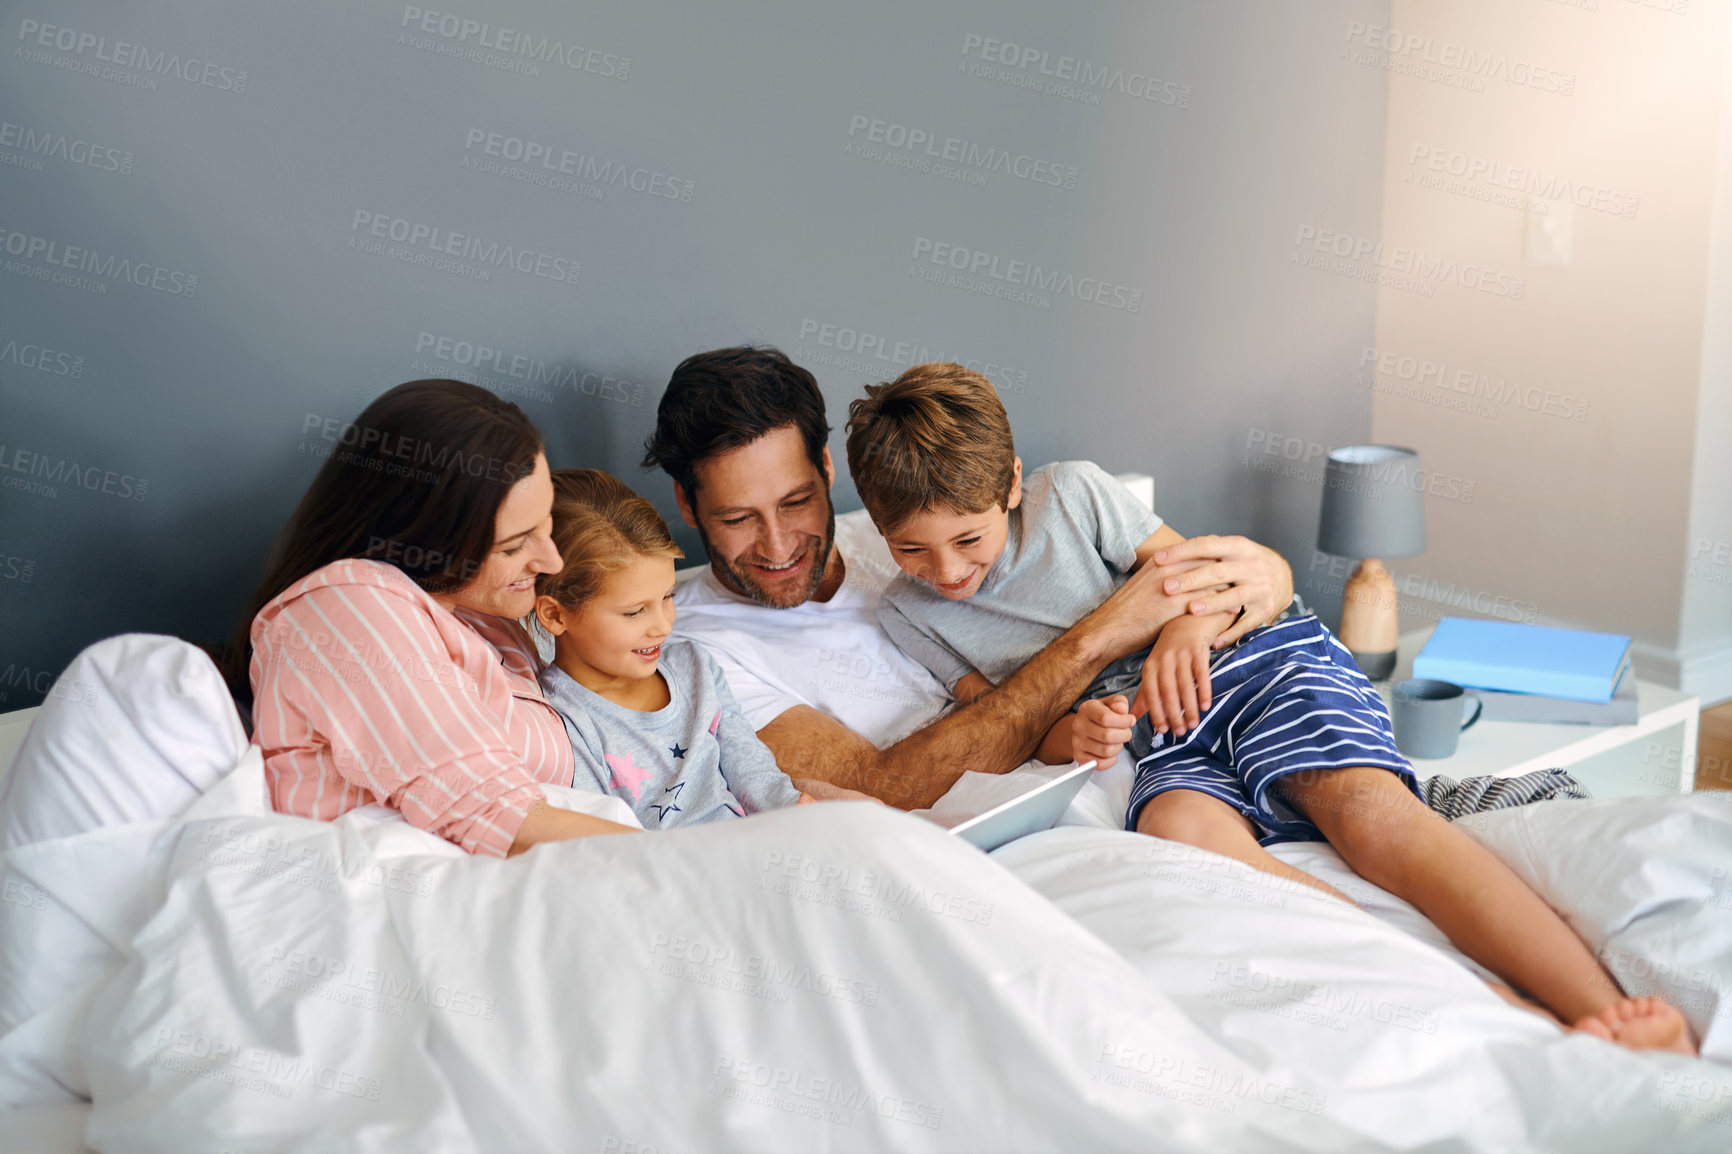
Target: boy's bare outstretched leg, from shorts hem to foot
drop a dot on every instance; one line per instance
(1395, 841)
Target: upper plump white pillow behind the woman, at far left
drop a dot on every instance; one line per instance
(136, 730)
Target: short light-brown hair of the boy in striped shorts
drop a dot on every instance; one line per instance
(933, 439)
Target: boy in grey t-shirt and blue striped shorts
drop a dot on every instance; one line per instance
(1276, 739)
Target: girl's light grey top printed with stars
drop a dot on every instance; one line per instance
(695, 760)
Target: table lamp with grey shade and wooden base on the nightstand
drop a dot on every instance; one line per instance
(1373, 509)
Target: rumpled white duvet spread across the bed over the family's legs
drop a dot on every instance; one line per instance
(837, 978)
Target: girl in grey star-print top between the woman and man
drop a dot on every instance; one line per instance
(650, 720)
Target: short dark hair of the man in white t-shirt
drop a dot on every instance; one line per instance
(730, 398)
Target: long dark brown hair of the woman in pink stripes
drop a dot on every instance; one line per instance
(417, 481)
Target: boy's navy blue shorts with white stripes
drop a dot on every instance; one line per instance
(1286, 699)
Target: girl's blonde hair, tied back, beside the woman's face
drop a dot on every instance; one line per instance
(600, 526)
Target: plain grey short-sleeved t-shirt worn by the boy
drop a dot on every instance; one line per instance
(1073, 541)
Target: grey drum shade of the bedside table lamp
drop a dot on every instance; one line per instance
(1373, 503)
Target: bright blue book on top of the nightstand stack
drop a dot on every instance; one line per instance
(1525, 659)
